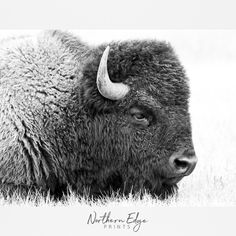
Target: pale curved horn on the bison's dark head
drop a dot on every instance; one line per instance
(106, 87)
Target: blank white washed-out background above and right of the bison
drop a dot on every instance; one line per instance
(209, 57)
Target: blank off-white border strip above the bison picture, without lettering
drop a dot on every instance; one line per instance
(122, 14)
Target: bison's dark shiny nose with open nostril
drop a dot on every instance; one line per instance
(183, 163)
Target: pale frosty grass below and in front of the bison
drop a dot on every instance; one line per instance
(204, 188)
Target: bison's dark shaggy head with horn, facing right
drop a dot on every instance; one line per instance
(137, 132)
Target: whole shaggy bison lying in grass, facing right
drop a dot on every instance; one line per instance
(111, 117)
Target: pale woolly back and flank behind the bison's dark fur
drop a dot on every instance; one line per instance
(37, 76)
